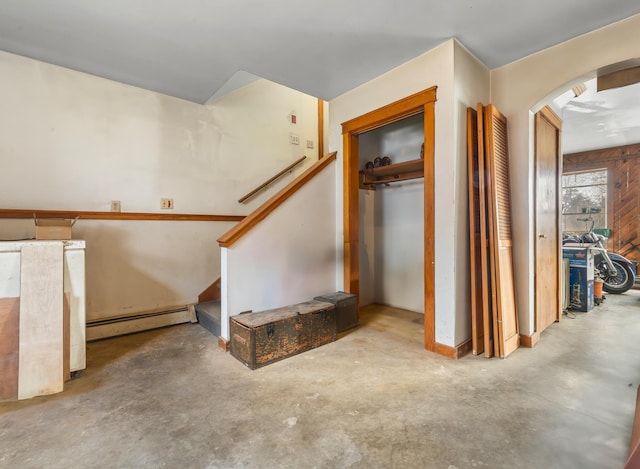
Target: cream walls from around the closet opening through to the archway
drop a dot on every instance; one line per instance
(518, 90)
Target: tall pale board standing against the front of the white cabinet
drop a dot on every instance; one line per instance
(41, 320)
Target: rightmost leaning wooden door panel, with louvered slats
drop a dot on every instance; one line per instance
(500, 232)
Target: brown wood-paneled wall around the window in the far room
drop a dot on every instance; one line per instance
(623, 173)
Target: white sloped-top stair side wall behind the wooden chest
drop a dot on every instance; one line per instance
(288, 258)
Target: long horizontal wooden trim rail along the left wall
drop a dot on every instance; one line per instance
(88, 215)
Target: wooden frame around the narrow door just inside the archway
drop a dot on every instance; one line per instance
(551, 118)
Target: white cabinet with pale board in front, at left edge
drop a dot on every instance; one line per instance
(42, 315)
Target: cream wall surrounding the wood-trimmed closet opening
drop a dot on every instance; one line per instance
(435, 67)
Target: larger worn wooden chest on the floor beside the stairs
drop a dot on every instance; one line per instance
(264, 337)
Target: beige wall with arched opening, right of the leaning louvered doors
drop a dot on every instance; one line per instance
(521, 88)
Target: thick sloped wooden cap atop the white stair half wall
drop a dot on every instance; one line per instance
(270, 205)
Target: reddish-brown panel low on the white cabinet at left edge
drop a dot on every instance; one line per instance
(9, 347)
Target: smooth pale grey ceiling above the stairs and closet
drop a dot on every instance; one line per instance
(191, 48)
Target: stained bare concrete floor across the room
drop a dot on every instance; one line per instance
(372, 399)
